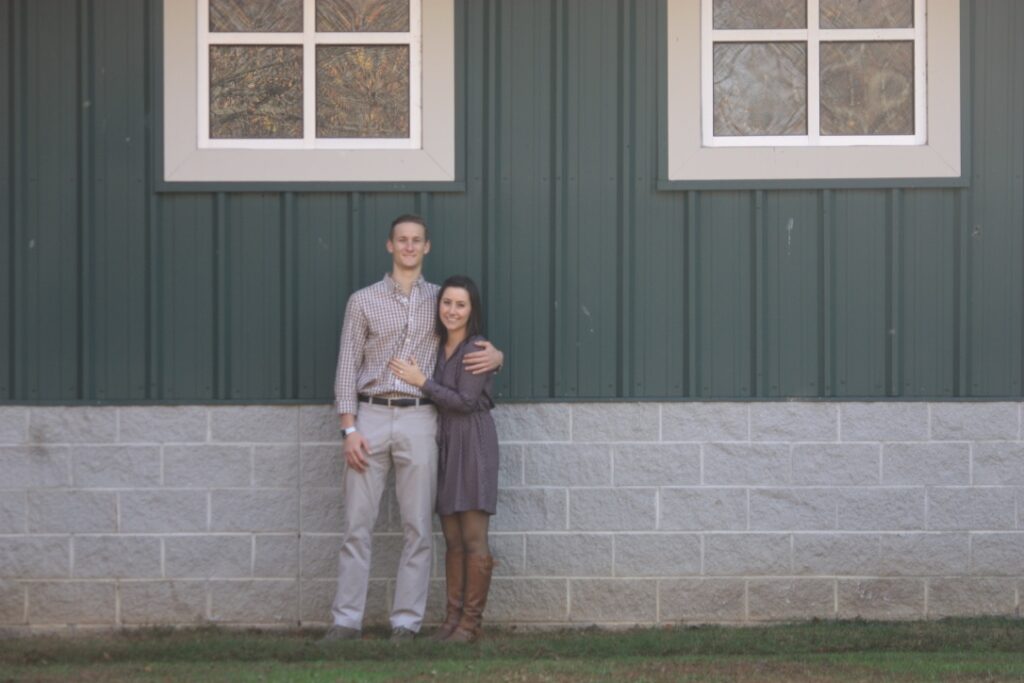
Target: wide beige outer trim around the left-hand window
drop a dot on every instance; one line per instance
(189, 161)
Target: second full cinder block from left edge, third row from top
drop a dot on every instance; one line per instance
(163, 511)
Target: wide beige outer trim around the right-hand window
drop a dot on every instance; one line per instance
(691, 162)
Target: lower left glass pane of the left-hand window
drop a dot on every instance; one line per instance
(255, 92)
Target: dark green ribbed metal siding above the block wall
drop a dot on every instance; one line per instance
(599, 285)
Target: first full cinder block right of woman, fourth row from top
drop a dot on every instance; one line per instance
(569, 556)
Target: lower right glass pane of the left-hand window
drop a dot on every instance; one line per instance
(363, 92)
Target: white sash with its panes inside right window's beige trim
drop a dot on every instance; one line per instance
(814, 73)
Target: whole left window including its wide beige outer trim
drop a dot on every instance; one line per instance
(309, 92)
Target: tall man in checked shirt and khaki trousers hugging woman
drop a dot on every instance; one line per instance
(386, 422)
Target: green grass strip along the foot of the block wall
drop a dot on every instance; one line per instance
(987, 650)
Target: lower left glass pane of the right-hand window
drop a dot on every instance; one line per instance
(760, 90)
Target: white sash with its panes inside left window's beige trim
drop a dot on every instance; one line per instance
(310, 74)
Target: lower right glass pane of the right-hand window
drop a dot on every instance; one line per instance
(868, 89)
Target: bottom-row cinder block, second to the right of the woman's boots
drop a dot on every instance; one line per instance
(614, 601)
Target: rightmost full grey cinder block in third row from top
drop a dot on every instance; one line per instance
(971, 509)
